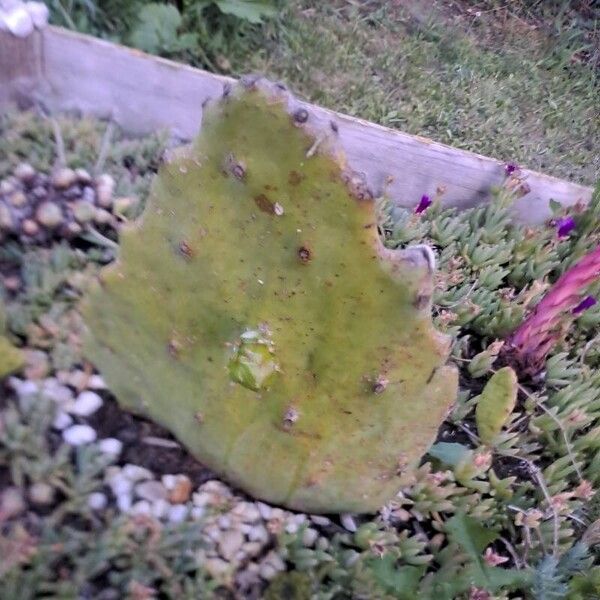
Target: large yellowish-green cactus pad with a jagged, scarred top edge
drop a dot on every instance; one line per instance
(255, 313)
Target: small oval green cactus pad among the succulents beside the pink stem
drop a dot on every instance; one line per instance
(495, 404)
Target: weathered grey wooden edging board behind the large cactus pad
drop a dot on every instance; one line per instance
(70, 71)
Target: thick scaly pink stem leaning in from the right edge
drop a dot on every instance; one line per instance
(529, 344)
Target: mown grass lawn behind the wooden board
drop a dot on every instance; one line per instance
(496, 84)
